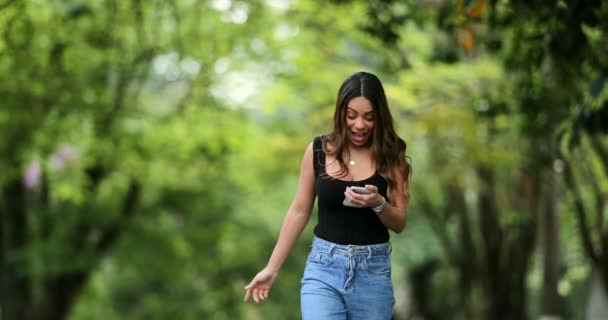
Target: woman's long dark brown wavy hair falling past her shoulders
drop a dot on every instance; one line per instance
(388, 150)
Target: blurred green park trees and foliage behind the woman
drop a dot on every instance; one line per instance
(150, 149)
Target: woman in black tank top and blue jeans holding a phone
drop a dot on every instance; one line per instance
(347, 275)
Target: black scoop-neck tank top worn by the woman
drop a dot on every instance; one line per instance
(338, 223)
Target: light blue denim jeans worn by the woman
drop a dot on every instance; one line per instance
(347, 282)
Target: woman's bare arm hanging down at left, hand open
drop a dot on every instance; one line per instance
(295, 221)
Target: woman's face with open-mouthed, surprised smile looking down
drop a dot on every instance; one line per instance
(360, 121)
